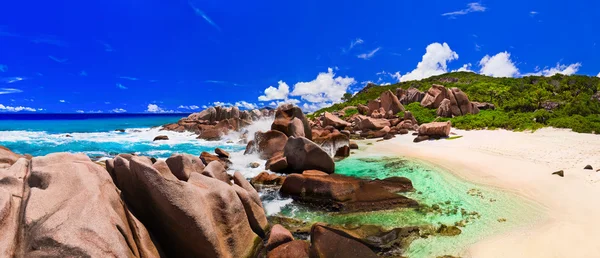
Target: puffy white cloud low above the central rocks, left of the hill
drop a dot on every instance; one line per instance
(325, 88)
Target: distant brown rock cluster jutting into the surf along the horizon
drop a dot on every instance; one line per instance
(214, 122)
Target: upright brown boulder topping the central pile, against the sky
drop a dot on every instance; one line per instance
(284, 117)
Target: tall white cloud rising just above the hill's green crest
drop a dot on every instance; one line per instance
(433, 63)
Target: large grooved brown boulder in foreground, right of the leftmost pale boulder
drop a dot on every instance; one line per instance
(203, 217)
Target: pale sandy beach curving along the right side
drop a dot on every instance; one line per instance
(522, 162)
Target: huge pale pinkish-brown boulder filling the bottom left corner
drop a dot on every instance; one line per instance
(47, 204)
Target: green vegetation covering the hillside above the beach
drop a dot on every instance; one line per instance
(526, 103)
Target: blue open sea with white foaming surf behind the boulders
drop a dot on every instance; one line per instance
(96, 136)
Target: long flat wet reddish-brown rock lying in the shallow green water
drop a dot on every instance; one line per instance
(341, 193)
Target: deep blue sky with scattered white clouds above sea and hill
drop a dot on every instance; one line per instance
(178, 56)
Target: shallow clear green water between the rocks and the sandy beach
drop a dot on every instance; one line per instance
(478, 211)
